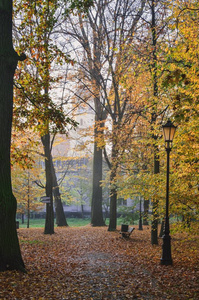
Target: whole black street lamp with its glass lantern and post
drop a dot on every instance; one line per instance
(168, 131)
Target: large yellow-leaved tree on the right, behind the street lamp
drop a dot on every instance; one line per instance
(176, 76)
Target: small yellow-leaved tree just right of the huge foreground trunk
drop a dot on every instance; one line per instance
(25, 171)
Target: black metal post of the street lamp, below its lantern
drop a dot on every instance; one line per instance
(166, 246)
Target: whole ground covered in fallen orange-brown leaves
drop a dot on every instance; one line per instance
(92, 263)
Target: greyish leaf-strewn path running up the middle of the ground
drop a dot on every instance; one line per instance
(111, 271)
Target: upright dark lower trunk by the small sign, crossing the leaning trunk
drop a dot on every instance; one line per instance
(49, 223)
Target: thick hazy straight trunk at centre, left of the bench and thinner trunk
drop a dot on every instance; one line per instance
(96, 205)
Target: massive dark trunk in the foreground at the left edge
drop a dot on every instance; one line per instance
(10, 254)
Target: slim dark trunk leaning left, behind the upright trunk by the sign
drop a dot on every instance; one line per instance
(60, 216)
